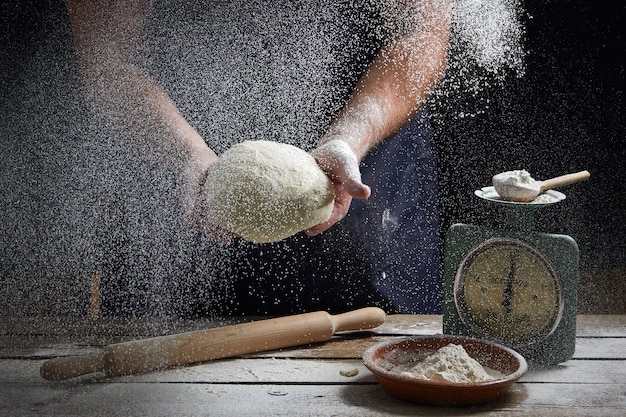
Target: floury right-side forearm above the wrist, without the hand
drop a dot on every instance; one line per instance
(397, 83)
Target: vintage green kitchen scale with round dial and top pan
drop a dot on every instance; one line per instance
(511, 284)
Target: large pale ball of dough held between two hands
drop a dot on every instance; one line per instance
(266, 191)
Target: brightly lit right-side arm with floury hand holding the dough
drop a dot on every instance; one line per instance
(388, 95)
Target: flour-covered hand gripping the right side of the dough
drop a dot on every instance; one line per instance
(341, 165)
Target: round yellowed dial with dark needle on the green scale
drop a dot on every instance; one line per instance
(507, 291)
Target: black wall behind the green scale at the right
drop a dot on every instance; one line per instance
(563, 115)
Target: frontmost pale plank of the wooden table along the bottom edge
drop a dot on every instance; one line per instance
(259, 400)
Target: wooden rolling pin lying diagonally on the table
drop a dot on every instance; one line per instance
(204, 345)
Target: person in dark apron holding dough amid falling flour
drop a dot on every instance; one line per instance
(345, 81)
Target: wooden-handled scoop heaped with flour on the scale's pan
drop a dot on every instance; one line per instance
(524, 191)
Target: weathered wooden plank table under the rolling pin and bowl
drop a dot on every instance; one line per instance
(314, 380)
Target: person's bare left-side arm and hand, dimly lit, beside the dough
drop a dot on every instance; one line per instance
(105, 35)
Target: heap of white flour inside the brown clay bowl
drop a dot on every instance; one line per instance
(450, 363)
